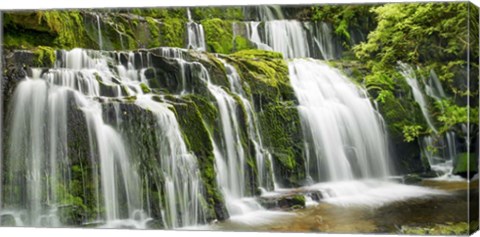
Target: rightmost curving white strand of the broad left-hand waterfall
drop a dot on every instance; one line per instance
(179, 167)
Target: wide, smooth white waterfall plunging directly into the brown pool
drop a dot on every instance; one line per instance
(345, 137)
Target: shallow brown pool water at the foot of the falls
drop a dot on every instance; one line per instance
(425, 212)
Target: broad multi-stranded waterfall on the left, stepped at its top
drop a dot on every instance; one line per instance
(38, 157)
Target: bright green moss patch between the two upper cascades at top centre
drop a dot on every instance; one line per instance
(218, 35)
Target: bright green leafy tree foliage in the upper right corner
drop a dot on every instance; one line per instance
(433, 36)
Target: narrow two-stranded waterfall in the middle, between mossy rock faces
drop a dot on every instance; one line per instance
(230, 155)
